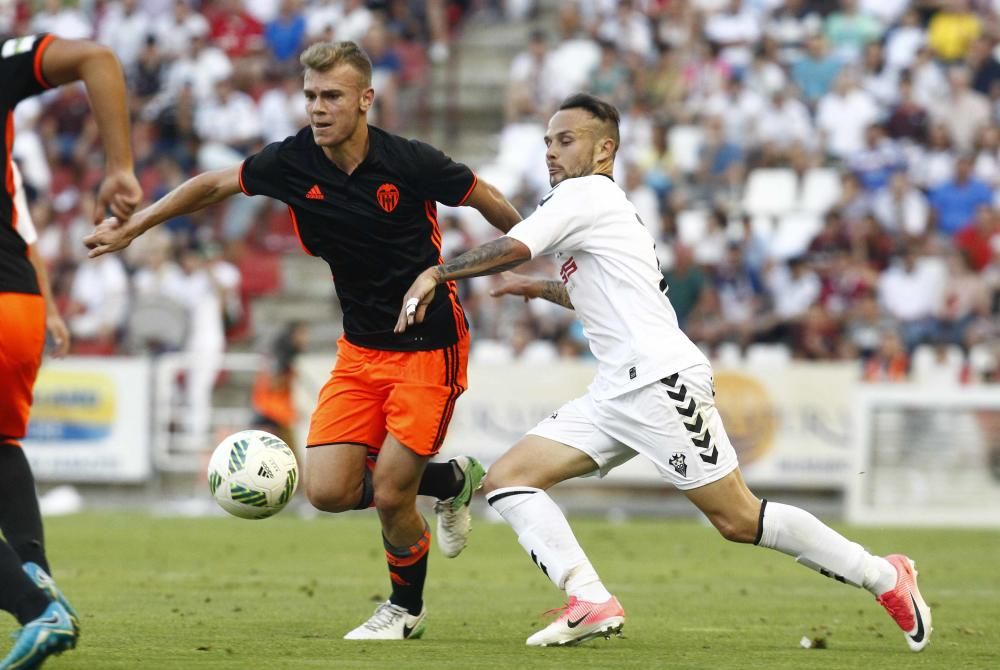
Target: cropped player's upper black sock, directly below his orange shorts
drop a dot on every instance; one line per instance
(20, 519)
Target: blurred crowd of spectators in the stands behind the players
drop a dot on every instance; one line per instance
(821, 176)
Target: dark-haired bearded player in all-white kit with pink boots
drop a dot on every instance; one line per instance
(653, 394)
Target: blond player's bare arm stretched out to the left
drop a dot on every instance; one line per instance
(206, 189)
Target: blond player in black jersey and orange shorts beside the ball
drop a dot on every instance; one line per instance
(364, 201)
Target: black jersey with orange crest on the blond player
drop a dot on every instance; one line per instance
(377, 228)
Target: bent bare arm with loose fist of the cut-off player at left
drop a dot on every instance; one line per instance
(97, 67)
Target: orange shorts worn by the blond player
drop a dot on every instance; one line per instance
(372, 393)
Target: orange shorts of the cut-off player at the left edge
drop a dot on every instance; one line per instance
(22, 339)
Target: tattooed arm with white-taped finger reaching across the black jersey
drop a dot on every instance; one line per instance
(486, 259)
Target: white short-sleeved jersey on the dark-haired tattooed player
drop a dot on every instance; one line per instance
(608, 263)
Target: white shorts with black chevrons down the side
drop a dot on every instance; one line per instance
(674, 423)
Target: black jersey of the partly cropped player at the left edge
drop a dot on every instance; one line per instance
(20, 78)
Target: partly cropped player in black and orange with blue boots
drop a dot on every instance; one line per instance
(30, 65)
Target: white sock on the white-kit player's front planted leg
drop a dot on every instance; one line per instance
(545, 534)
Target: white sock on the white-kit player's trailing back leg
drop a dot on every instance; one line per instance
(798, 533)
